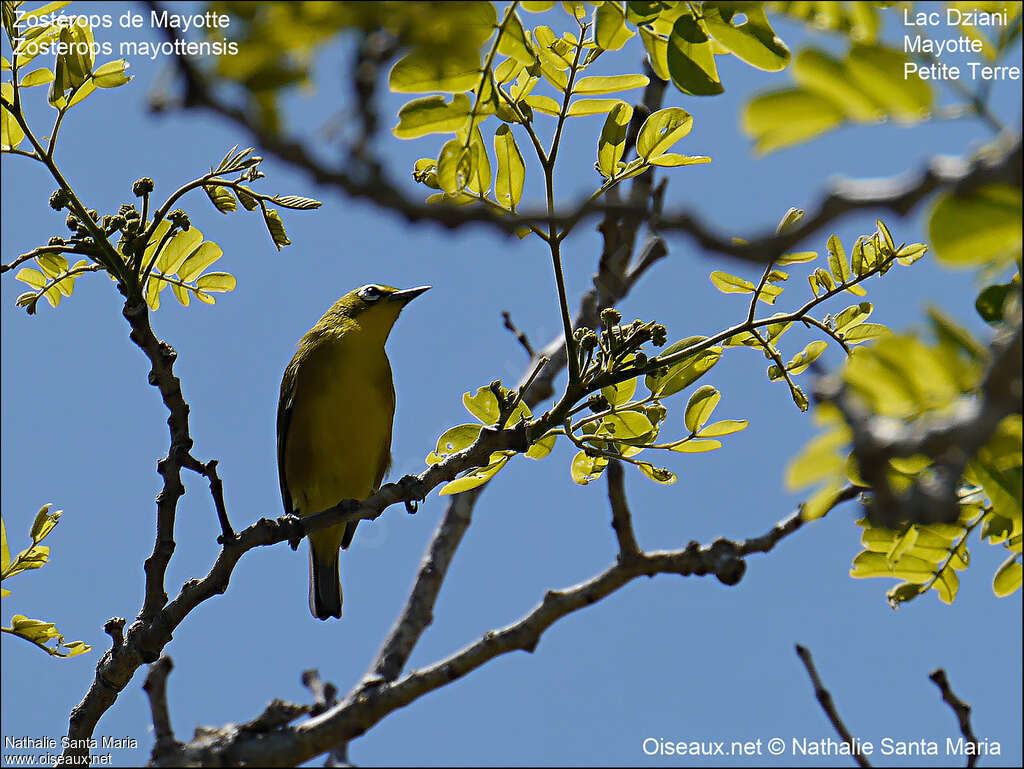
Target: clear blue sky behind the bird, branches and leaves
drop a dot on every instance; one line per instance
(671, 659)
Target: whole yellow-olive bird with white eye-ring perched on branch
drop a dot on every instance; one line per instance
(334, 423)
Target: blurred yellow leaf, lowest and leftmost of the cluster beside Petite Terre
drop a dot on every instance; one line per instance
(780, 119)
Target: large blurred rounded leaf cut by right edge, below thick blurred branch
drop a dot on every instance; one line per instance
(979, 228)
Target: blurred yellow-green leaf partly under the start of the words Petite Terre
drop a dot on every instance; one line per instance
(881, 73)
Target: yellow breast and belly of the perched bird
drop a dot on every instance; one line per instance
(339, 435)
